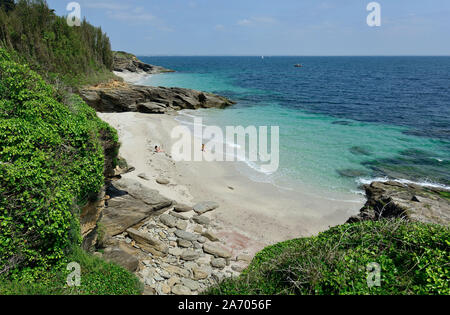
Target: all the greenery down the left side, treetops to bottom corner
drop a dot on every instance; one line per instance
(54, 151)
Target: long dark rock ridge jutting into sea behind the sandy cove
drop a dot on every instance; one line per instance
(122, 97)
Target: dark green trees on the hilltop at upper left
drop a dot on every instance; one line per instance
(60, 53)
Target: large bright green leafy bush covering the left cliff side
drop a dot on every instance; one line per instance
(51, 162)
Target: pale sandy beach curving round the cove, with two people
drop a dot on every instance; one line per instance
(251, 215)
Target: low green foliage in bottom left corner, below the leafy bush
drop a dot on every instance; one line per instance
(97, 277)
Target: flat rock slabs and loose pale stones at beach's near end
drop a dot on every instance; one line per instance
(162, 242)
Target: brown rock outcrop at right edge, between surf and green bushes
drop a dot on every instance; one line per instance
(412, 202)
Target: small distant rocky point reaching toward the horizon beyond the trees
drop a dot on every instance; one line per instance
(127, 62)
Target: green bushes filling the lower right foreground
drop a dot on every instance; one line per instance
(414, 259)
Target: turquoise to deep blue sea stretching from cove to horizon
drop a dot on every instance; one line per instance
(373, 119)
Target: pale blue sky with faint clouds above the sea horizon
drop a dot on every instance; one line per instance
(269, 27)
